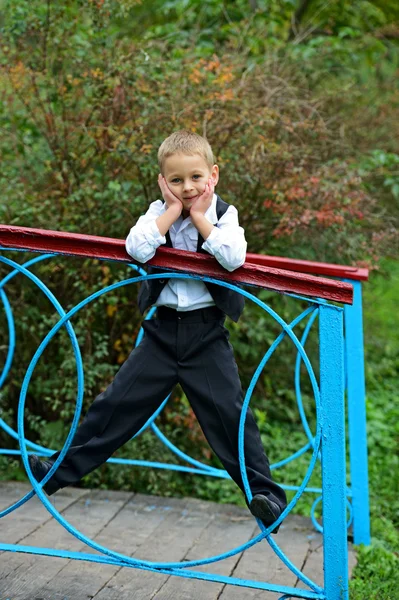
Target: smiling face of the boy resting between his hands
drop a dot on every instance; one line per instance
(187, 176)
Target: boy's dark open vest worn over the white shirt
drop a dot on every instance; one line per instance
(230, 302)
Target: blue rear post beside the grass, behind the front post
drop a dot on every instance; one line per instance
(357, 416)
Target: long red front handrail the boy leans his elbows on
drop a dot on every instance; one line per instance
(76, 244)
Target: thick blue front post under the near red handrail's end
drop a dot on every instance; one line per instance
(333, 464)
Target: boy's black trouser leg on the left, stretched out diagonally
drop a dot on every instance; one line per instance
(140, 386)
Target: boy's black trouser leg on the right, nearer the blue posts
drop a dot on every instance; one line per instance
(209, 377)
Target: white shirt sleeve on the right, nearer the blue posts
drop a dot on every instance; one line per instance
(227, 242)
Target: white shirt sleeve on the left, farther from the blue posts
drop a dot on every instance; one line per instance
(144, 237)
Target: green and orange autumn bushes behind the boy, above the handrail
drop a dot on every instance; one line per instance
(79, 147)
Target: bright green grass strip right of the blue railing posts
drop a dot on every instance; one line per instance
(376, 576)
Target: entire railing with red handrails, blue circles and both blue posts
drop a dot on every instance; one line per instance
(327, 443)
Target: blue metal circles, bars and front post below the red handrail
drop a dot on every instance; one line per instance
(327, 442)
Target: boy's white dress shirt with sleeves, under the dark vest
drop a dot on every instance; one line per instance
(226, 243)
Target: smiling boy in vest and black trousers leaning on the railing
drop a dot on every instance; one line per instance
(186, 343)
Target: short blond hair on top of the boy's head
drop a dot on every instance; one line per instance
(185, 142)
